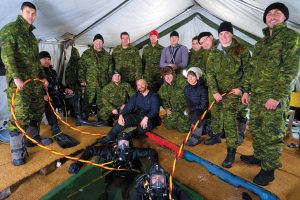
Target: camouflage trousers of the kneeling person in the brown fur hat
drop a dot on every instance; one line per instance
(177, 120)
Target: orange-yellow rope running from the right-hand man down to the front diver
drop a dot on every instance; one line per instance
(186, 139)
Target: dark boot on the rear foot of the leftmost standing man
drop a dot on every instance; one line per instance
(33, 132)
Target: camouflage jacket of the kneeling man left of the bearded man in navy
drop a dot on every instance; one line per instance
(114, 96)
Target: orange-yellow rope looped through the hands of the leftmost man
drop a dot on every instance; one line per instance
(103, 165)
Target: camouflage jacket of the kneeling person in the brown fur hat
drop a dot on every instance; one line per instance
(172, 96)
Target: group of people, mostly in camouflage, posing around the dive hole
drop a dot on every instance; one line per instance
(215, 66)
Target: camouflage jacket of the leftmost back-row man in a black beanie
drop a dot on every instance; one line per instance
(94, 68)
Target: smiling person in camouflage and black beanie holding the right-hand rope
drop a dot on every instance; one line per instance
(226, 65)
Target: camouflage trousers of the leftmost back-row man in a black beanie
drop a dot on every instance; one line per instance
(92, 96)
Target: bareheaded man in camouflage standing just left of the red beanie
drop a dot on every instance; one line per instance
(127, 60)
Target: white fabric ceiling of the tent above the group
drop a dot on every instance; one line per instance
(138, 17)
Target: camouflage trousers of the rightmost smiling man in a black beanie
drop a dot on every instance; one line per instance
(267, 128)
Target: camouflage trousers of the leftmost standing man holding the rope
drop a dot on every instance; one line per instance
(29, 104)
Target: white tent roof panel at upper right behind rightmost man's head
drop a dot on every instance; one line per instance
(246, 17)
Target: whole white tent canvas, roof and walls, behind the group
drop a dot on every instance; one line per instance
(56, 19)
